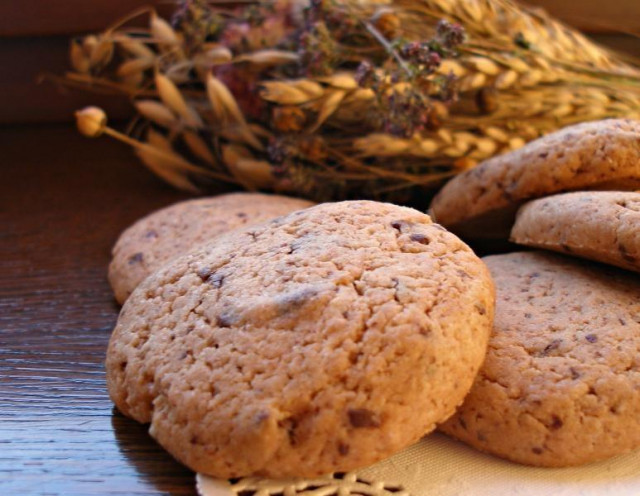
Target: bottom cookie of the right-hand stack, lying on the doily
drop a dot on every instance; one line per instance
(561, 382)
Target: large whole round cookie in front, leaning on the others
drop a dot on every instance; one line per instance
(322, 341)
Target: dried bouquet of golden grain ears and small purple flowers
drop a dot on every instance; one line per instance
(336, 99)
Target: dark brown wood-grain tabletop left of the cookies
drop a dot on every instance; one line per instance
(63, 201)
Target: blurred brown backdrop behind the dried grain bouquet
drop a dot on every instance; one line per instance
(34, 37)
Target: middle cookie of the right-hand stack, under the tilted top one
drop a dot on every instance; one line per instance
(600, 225)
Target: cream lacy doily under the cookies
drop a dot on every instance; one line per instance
(439, 466)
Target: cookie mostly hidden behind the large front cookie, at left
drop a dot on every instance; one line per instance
(157, 238)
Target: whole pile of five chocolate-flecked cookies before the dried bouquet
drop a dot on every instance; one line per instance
(332, 336)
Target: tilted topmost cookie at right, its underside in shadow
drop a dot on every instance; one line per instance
(481, 202)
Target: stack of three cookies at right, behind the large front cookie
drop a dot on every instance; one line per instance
(561, 382)
